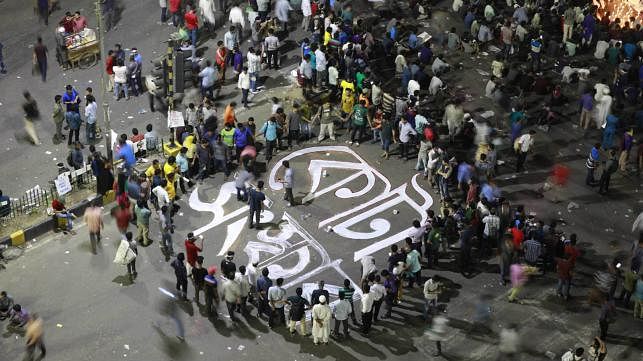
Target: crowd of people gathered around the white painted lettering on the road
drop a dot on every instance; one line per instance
(343, 85)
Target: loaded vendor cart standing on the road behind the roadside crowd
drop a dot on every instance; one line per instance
(79, 49)
